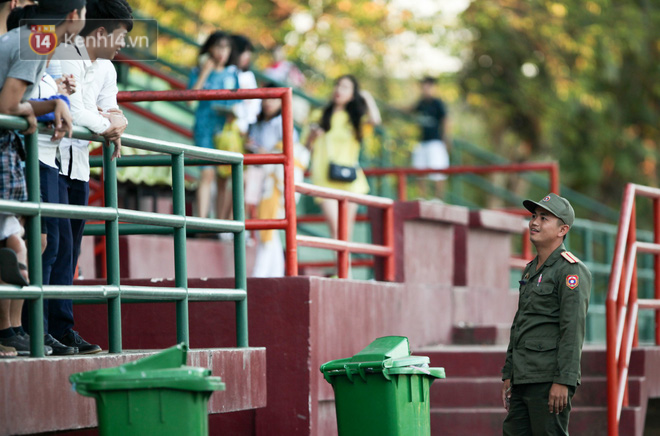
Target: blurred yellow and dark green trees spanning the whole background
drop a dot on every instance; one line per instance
(569, 80)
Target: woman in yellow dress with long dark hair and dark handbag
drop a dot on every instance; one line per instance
(335, 139)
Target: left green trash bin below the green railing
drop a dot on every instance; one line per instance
(157, 395)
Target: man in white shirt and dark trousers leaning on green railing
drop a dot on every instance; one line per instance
(94, 105)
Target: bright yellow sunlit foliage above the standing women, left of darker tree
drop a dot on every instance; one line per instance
(332, 37)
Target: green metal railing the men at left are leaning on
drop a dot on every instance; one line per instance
(176, 155)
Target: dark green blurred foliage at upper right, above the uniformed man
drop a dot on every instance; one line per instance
(572, 80)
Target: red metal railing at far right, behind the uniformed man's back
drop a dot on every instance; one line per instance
(622, 304)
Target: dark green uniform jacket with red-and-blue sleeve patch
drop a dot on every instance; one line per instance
(548, 330)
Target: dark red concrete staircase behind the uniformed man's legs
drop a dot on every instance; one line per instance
(468, 401)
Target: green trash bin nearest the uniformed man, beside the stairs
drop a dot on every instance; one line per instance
(382, 390)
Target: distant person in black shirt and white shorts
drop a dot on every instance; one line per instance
(432, 151)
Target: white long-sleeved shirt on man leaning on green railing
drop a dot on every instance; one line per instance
(96, 87)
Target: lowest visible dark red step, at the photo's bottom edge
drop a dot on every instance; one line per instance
(487, 421)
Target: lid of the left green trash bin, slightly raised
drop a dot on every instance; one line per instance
(164, 370)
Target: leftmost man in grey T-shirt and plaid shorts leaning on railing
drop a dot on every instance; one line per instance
(20, 70)
